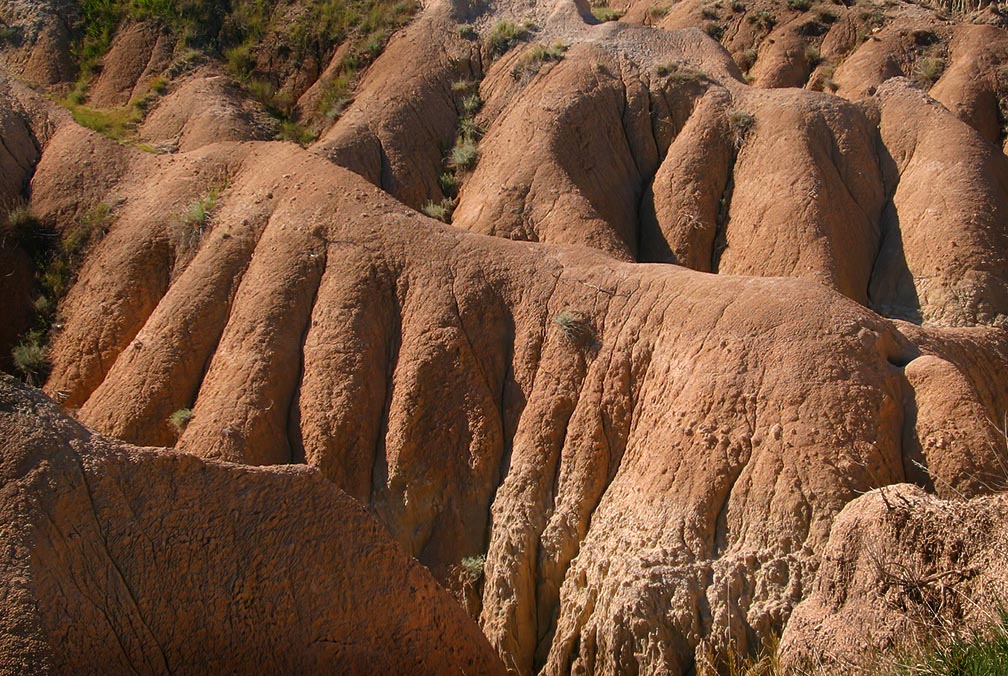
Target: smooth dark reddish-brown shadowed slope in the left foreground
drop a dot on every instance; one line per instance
(123, 559)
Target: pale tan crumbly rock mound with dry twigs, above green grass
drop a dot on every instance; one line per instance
(902, 567)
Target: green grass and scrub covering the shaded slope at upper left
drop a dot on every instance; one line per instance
(235, 32)
